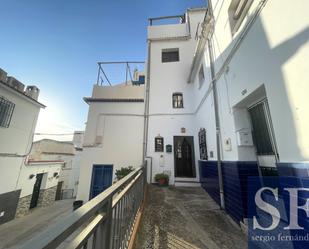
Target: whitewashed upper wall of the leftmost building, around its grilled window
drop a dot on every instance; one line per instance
(16, 139)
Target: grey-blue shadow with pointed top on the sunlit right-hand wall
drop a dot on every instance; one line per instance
(255, 60)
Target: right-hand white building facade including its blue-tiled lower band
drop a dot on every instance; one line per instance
(260, 76)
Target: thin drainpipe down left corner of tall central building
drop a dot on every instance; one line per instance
(146, 112)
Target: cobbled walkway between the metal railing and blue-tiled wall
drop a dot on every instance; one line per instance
(186, 218)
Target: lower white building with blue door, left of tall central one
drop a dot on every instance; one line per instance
(113, 136)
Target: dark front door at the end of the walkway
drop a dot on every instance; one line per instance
(184, 156)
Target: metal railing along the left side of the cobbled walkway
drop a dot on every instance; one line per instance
(107, 221)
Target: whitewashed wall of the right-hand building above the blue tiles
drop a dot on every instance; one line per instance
(272, 56)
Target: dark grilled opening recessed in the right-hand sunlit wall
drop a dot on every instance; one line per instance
(261, 133)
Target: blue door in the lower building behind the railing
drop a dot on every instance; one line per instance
(101, 179)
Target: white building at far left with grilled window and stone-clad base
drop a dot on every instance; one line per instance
(23, 185)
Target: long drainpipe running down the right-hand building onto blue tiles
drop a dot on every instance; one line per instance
(216, 109)
